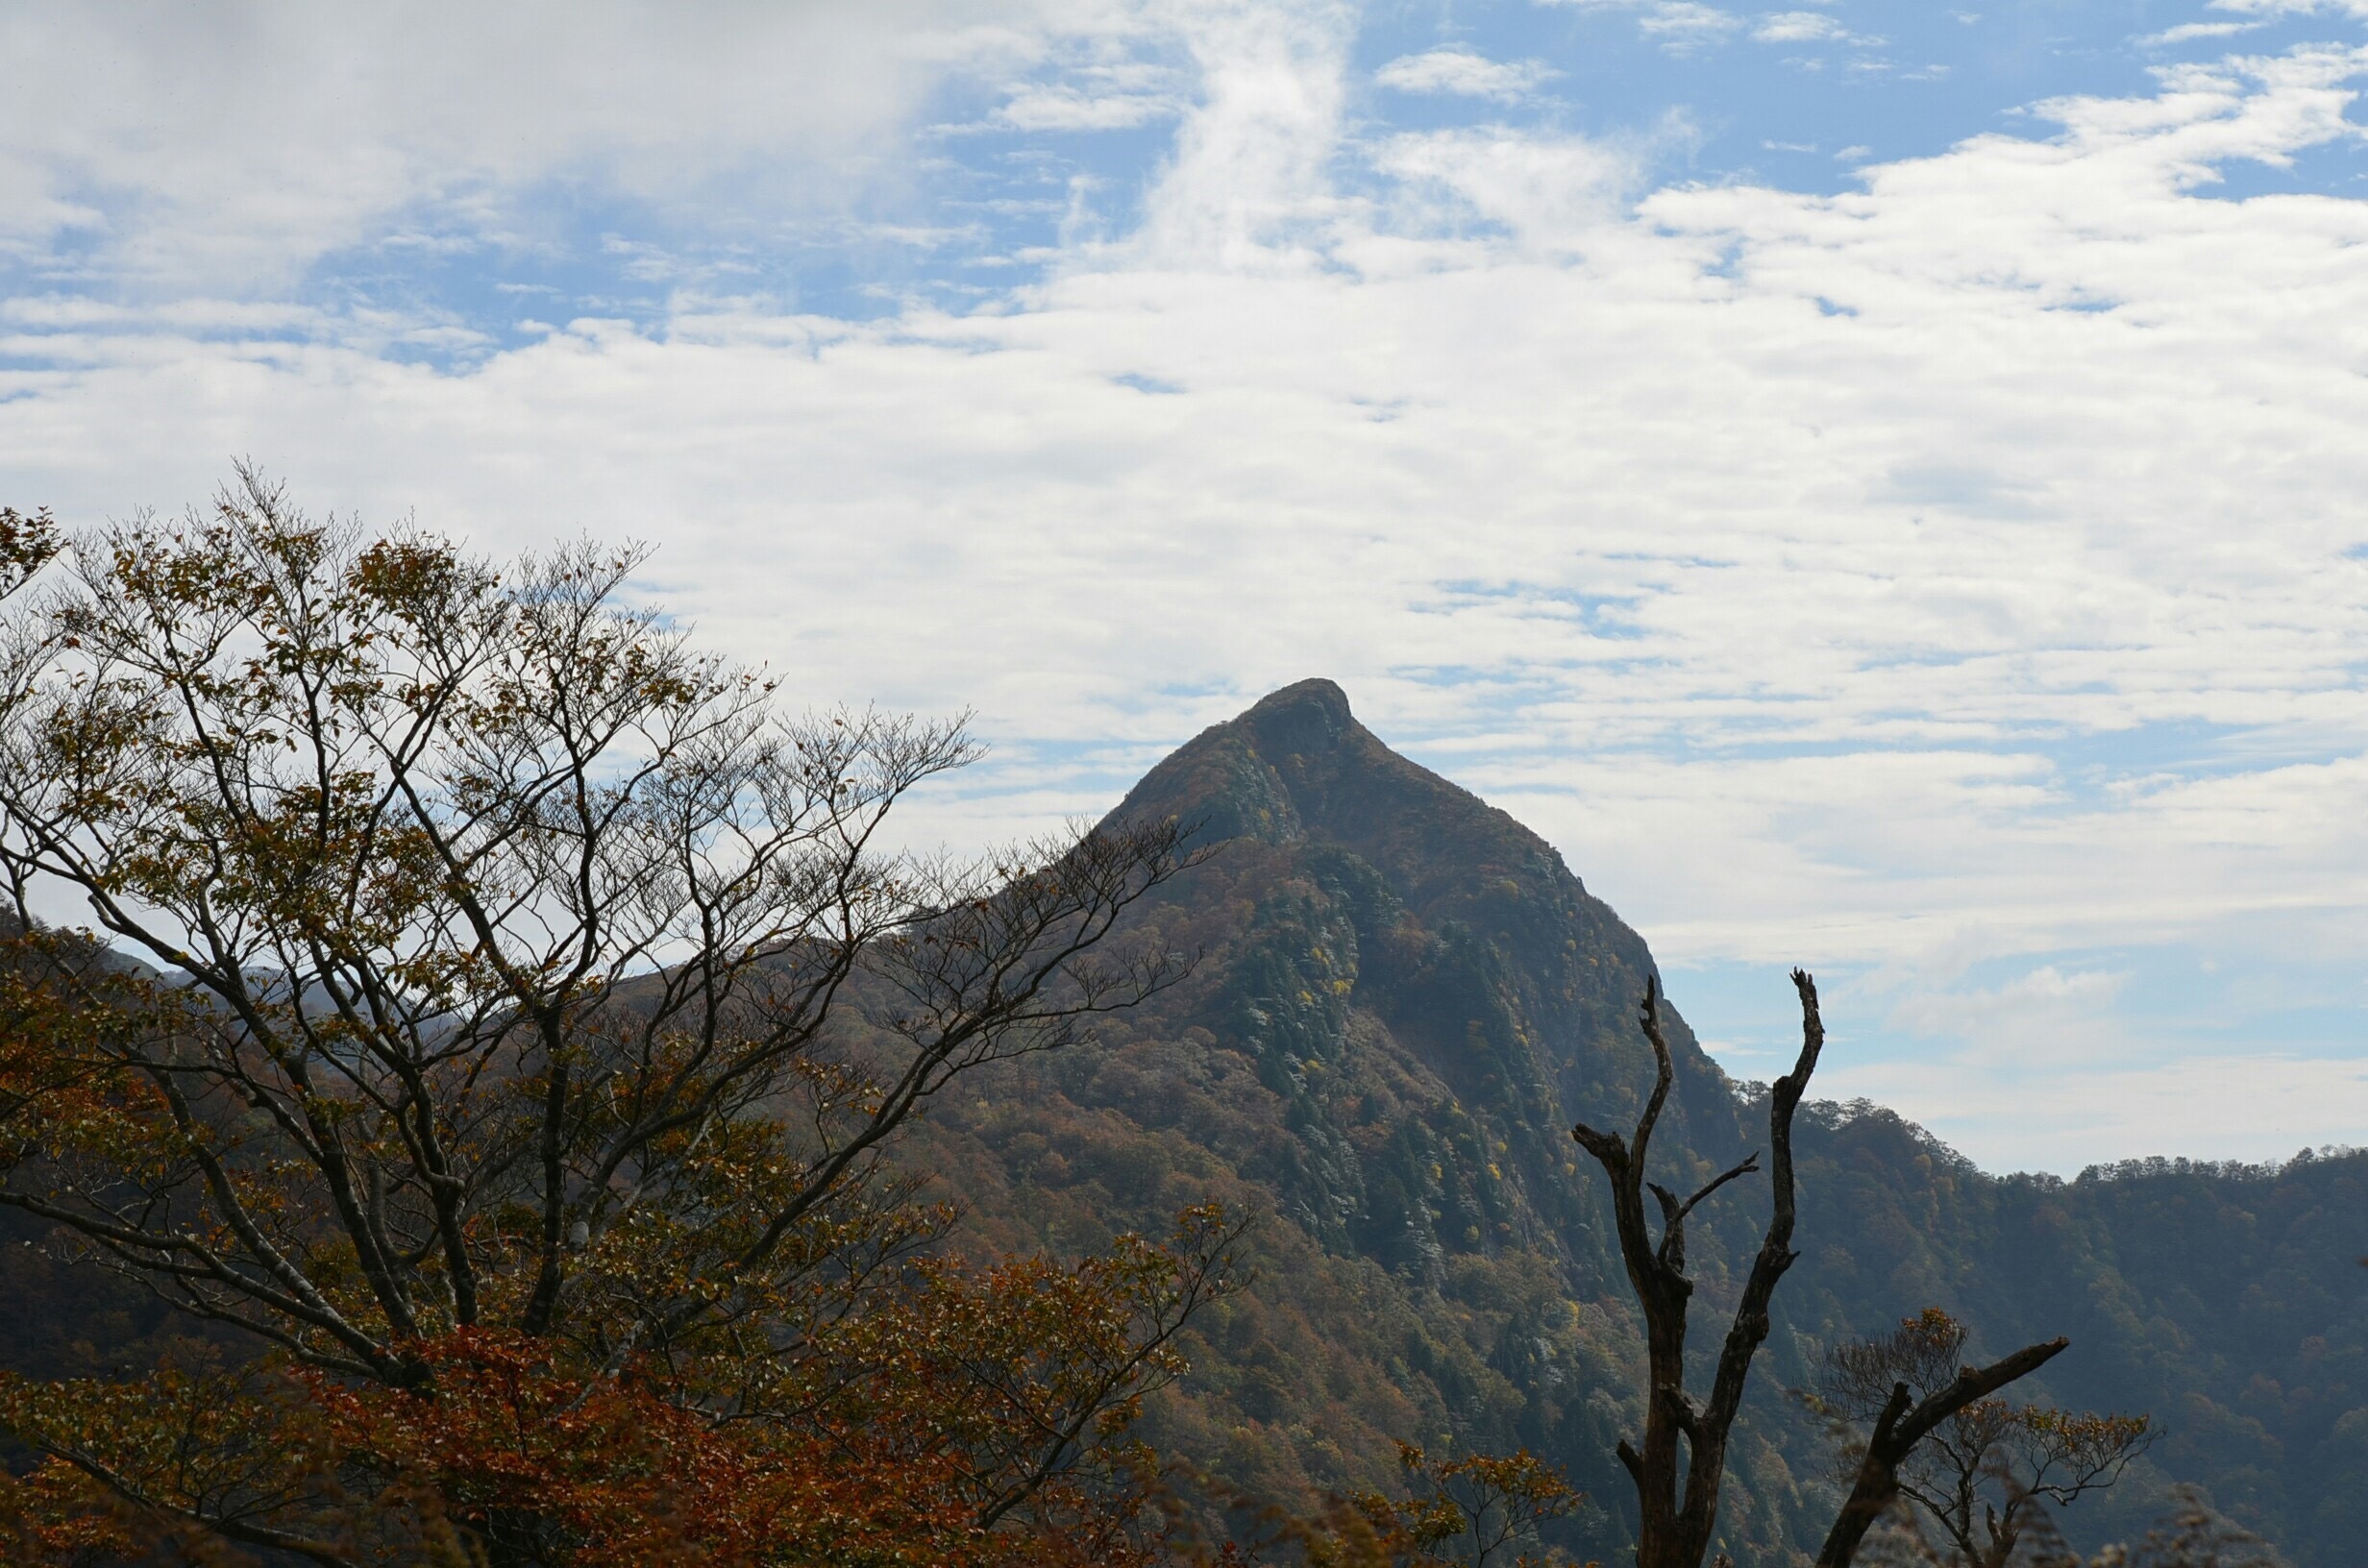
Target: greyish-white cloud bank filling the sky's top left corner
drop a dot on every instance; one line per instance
(226, 148)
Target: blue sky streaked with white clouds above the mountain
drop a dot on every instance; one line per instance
(1879, 484)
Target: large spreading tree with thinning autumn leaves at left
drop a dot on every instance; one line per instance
(529, 1008)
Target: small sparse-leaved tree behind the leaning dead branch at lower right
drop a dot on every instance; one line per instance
(1983, 1474)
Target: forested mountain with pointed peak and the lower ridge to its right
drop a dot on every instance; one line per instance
(1405, 1001)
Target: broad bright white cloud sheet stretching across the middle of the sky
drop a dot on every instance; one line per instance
(1780, 555)
